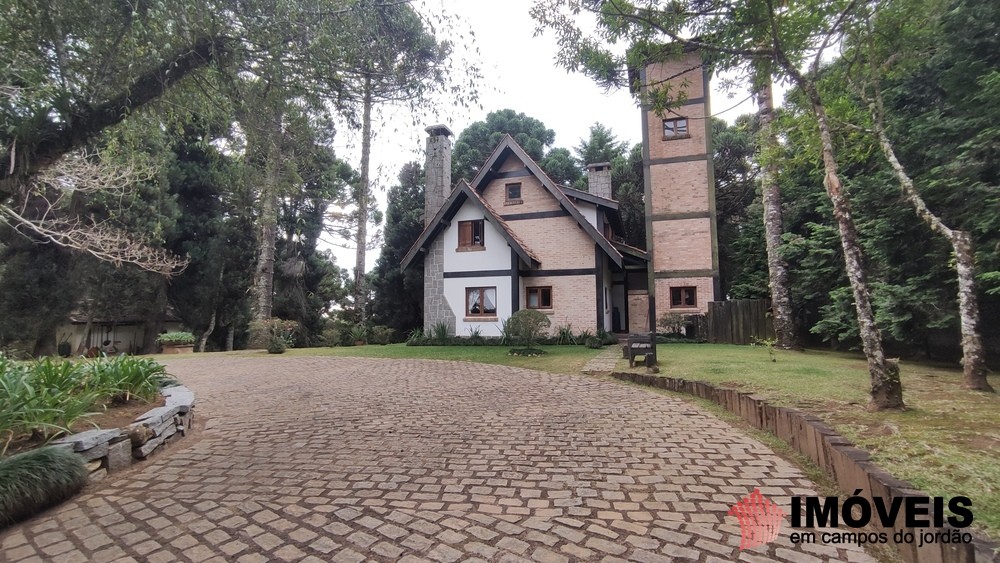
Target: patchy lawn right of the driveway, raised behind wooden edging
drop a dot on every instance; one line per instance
(947, 442)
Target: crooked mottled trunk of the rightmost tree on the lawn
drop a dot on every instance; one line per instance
(973, 356)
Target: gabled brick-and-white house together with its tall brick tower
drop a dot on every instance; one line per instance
(512, 238)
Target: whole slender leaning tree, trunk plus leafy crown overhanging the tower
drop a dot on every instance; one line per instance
(792, 37)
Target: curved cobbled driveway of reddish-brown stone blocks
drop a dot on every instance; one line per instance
(340, 459)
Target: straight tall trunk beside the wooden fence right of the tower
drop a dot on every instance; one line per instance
(777, 267)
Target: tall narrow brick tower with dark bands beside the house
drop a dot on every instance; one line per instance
(680, 191)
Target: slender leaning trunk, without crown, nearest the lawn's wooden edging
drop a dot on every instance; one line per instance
(886, 390)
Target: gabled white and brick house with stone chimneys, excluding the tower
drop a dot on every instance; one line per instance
(512, 239)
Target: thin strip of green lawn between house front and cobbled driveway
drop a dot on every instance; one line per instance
(558, 359)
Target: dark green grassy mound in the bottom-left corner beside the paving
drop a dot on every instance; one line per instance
(35, 480)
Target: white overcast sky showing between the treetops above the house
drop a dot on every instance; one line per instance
(519, 73)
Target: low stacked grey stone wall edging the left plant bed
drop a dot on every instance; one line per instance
(112, 450)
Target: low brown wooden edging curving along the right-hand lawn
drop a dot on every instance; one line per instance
(851, 467)
